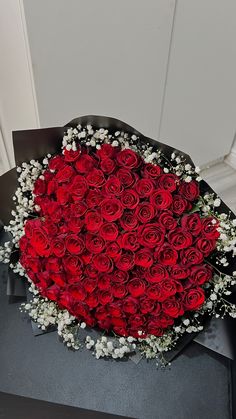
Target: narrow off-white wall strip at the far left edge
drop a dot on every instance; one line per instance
(18, 108)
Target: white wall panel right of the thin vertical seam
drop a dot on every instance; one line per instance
(200, 100)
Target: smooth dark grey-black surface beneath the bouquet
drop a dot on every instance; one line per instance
(197, 385)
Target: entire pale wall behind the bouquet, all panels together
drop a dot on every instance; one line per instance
(166, 67)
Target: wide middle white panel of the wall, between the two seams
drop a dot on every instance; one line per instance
(104, 57)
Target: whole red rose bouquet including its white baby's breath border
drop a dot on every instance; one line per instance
(118, 233)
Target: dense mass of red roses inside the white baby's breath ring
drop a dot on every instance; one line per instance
(116, 243)
